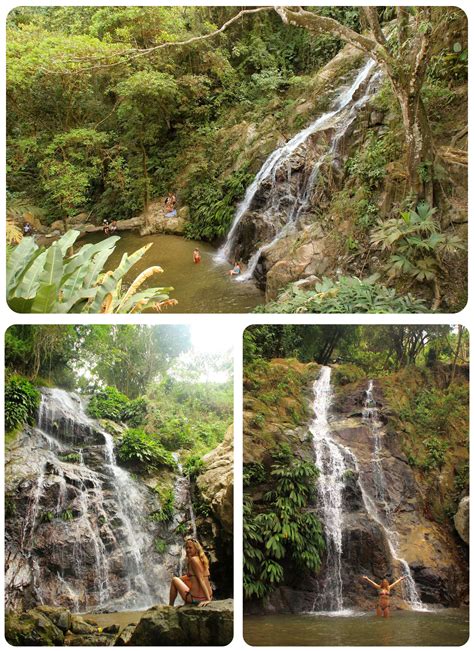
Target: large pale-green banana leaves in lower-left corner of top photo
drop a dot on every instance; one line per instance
(45, 280)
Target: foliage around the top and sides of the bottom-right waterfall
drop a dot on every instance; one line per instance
(423, 375)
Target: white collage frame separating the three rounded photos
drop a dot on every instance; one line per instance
(235, 324)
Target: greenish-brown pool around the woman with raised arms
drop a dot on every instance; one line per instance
(447, 627)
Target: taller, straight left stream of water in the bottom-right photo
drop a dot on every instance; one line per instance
(331, 466)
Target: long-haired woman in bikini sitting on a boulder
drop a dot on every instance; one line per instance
(194, 587)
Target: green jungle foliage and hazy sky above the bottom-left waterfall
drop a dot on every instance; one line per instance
(135, 376)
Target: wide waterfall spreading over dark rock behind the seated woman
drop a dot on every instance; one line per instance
(84, 541)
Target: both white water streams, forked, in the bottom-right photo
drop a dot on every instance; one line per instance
(333, 461)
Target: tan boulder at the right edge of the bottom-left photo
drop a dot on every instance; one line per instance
(216, 482)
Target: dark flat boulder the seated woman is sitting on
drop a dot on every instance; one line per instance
(189, 625)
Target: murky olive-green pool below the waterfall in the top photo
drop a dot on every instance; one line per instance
(203, 287)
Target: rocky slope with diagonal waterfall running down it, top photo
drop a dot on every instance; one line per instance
(282, 219)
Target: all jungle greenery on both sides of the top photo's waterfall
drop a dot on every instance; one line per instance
(110, 108)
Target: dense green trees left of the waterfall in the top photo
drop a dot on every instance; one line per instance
(88, 131)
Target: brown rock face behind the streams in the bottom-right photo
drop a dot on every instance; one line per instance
(383, 518)
